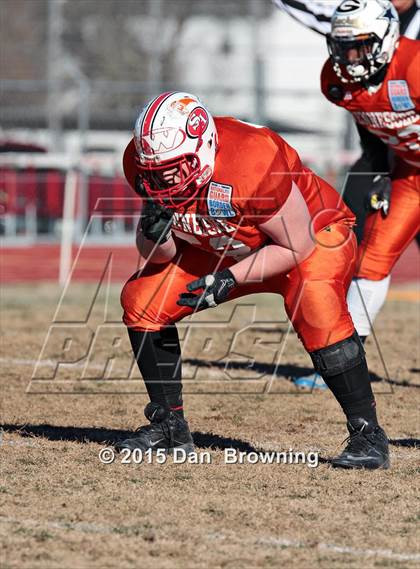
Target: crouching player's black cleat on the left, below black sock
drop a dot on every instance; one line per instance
(166, 431)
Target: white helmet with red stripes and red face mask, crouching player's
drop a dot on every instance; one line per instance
(176, 142)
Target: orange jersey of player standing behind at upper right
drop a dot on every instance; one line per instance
(391, 110)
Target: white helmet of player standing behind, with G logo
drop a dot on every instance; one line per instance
(363, 38)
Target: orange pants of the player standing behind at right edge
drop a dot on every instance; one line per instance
(385, 239)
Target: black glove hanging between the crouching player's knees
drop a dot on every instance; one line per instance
(217, 287)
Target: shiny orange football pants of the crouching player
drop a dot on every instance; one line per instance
(314, 291)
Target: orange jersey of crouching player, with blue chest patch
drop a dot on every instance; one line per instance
(252, 179)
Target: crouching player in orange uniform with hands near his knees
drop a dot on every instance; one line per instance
(229, 210)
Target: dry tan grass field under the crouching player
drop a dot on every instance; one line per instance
(60, 507)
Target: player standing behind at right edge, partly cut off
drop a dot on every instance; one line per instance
(374, 74)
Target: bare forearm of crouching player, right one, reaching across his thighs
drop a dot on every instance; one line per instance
(268, 262)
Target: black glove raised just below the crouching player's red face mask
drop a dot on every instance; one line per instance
(156, 220)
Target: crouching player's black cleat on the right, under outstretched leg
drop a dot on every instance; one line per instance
(367, 447)
